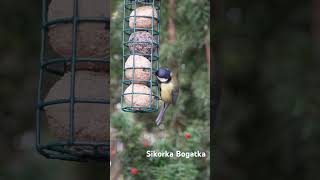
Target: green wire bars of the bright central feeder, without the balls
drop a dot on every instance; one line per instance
(128, 7)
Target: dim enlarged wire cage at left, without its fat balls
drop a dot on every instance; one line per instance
(69, 148)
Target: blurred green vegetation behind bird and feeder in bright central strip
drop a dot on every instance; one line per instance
(187, 56)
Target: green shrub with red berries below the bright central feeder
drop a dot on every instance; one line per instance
(131, 134)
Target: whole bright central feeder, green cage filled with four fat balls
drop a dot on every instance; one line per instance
(141, 36)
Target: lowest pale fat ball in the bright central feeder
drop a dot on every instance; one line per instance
(138, 95)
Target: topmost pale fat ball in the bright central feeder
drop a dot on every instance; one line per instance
(143, 22)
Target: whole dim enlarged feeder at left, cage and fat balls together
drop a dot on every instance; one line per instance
(73, 93)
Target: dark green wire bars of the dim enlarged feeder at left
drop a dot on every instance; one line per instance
(61, 149)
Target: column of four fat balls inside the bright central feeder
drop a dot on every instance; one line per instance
(142, 43)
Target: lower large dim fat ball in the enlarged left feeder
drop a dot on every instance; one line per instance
(90, 119)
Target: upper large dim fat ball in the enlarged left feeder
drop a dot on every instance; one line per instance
(92, 38)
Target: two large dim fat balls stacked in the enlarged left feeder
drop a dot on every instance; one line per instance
(91, 78)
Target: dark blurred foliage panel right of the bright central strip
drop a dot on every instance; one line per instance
(268, 126)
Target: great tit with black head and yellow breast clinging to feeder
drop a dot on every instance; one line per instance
(169, 90)
